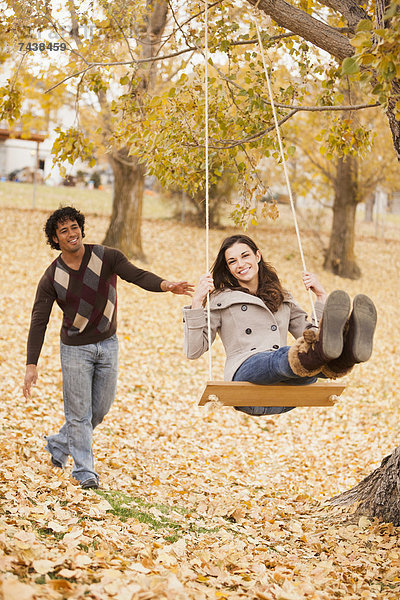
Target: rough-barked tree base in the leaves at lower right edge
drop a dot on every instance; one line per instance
(378, 494)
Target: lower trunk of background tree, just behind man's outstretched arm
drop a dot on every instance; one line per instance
(124, 231)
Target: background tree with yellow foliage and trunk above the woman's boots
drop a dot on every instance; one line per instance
(342, 180)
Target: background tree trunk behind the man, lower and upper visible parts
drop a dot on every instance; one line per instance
(124, 231)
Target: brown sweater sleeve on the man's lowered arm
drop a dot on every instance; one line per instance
(44, 300)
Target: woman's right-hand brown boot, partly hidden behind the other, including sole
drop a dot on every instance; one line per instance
(358, 338)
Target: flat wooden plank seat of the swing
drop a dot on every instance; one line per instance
(242, 393)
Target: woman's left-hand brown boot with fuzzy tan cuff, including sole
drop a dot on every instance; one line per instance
(316, 348)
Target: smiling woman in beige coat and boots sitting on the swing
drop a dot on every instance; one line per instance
(253, 313)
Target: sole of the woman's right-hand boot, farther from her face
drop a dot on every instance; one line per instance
(364, 320)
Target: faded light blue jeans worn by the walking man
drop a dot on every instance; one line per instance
(89, 387)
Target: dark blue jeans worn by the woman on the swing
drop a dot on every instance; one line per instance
(268, 368)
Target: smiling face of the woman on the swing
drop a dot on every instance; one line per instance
(243, 265)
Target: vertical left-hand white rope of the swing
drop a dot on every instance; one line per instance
(207, 182)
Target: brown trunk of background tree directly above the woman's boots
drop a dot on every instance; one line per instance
(340, 258)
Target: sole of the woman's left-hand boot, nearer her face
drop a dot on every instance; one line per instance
(336, 312)
